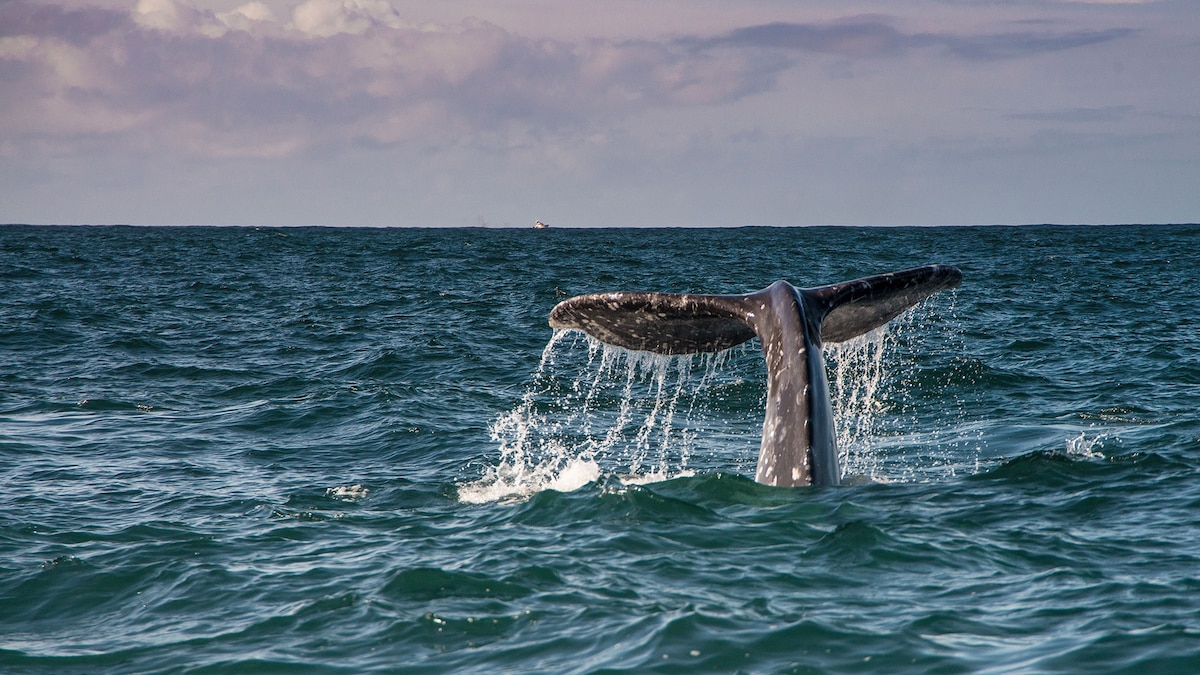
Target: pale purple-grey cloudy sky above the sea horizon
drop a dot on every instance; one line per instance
(622, 114)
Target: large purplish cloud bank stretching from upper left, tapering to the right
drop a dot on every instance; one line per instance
(335, 73)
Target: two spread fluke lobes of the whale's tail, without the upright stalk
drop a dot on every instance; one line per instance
(670, 324)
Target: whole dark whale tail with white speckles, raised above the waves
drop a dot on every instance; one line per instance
(799, 440)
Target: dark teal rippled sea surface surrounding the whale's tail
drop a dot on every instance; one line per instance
(355, 451)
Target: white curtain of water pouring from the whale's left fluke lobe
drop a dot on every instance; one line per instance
(633, 416)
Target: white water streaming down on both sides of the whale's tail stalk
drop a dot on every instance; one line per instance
(593, 411)
